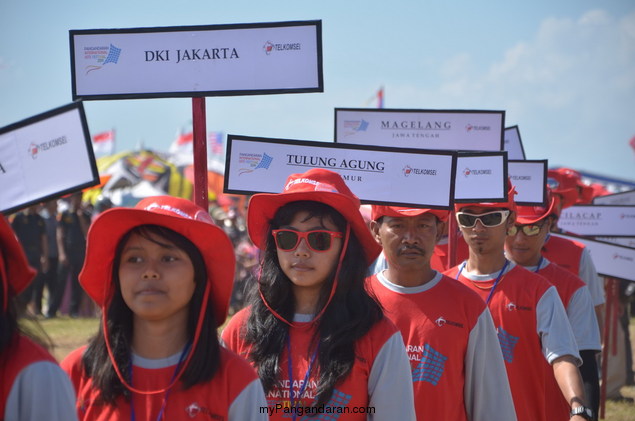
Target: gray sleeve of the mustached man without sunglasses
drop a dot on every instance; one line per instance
(487, 393)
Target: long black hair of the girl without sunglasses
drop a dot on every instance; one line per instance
(205, 356)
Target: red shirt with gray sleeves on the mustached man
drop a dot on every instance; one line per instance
(456, 363)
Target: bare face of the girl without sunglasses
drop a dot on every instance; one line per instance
(157, 280)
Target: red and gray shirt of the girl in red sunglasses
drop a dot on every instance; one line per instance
(377, 387)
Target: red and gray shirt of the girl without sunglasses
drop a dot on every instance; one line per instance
(233, 394)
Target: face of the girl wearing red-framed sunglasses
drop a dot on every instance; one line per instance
(306, 268)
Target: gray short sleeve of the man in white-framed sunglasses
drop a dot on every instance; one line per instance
(554, 329)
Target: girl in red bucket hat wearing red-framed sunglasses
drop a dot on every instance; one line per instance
(319, 342)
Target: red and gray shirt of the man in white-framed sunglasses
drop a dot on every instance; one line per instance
(532, 327)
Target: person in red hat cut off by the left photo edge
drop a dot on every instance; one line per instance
(32, 385)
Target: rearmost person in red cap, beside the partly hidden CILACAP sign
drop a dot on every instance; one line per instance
(569, 254)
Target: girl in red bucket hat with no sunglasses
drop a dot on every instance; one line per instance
(162, 274)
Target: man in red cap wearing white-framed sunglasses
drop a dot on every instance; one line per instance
(531, 321)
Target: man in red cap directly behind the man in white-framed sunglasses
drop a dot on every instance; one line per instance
(524, 246)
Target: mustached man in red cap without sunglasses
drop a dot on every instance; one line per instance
(457, 366)
